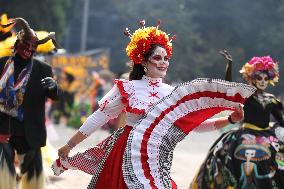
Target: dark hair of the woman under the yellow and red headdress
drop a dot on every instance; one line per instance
(137, 70)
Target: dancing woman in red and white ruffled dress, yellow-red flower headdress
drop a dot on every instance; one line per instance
(115, 162)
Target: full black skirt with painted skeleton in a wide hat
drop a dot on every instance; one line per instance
(243, 159)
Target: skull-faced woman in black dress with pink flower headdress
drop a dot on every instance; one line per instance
(250, 157)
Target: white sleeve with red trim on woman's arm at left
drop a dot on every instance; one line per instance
(110, 106)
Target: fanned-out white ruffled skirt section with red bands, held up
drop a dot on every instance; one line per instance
(148, 155)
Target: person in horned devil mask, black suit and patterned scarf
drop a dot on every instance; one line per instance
(25, 83)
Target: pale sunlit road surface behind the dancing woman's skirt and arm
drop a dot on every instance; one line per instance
(188, 156)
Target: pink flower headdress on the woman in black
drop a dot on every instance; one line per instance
(259, 65)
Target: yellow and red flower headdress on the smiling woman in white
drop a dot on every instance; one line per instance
(142, 39)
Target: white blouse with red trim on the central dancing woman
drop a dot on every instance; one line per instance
(129, 96)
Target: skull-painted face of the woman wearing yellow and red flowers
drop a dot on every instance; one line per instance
(158, 63)
